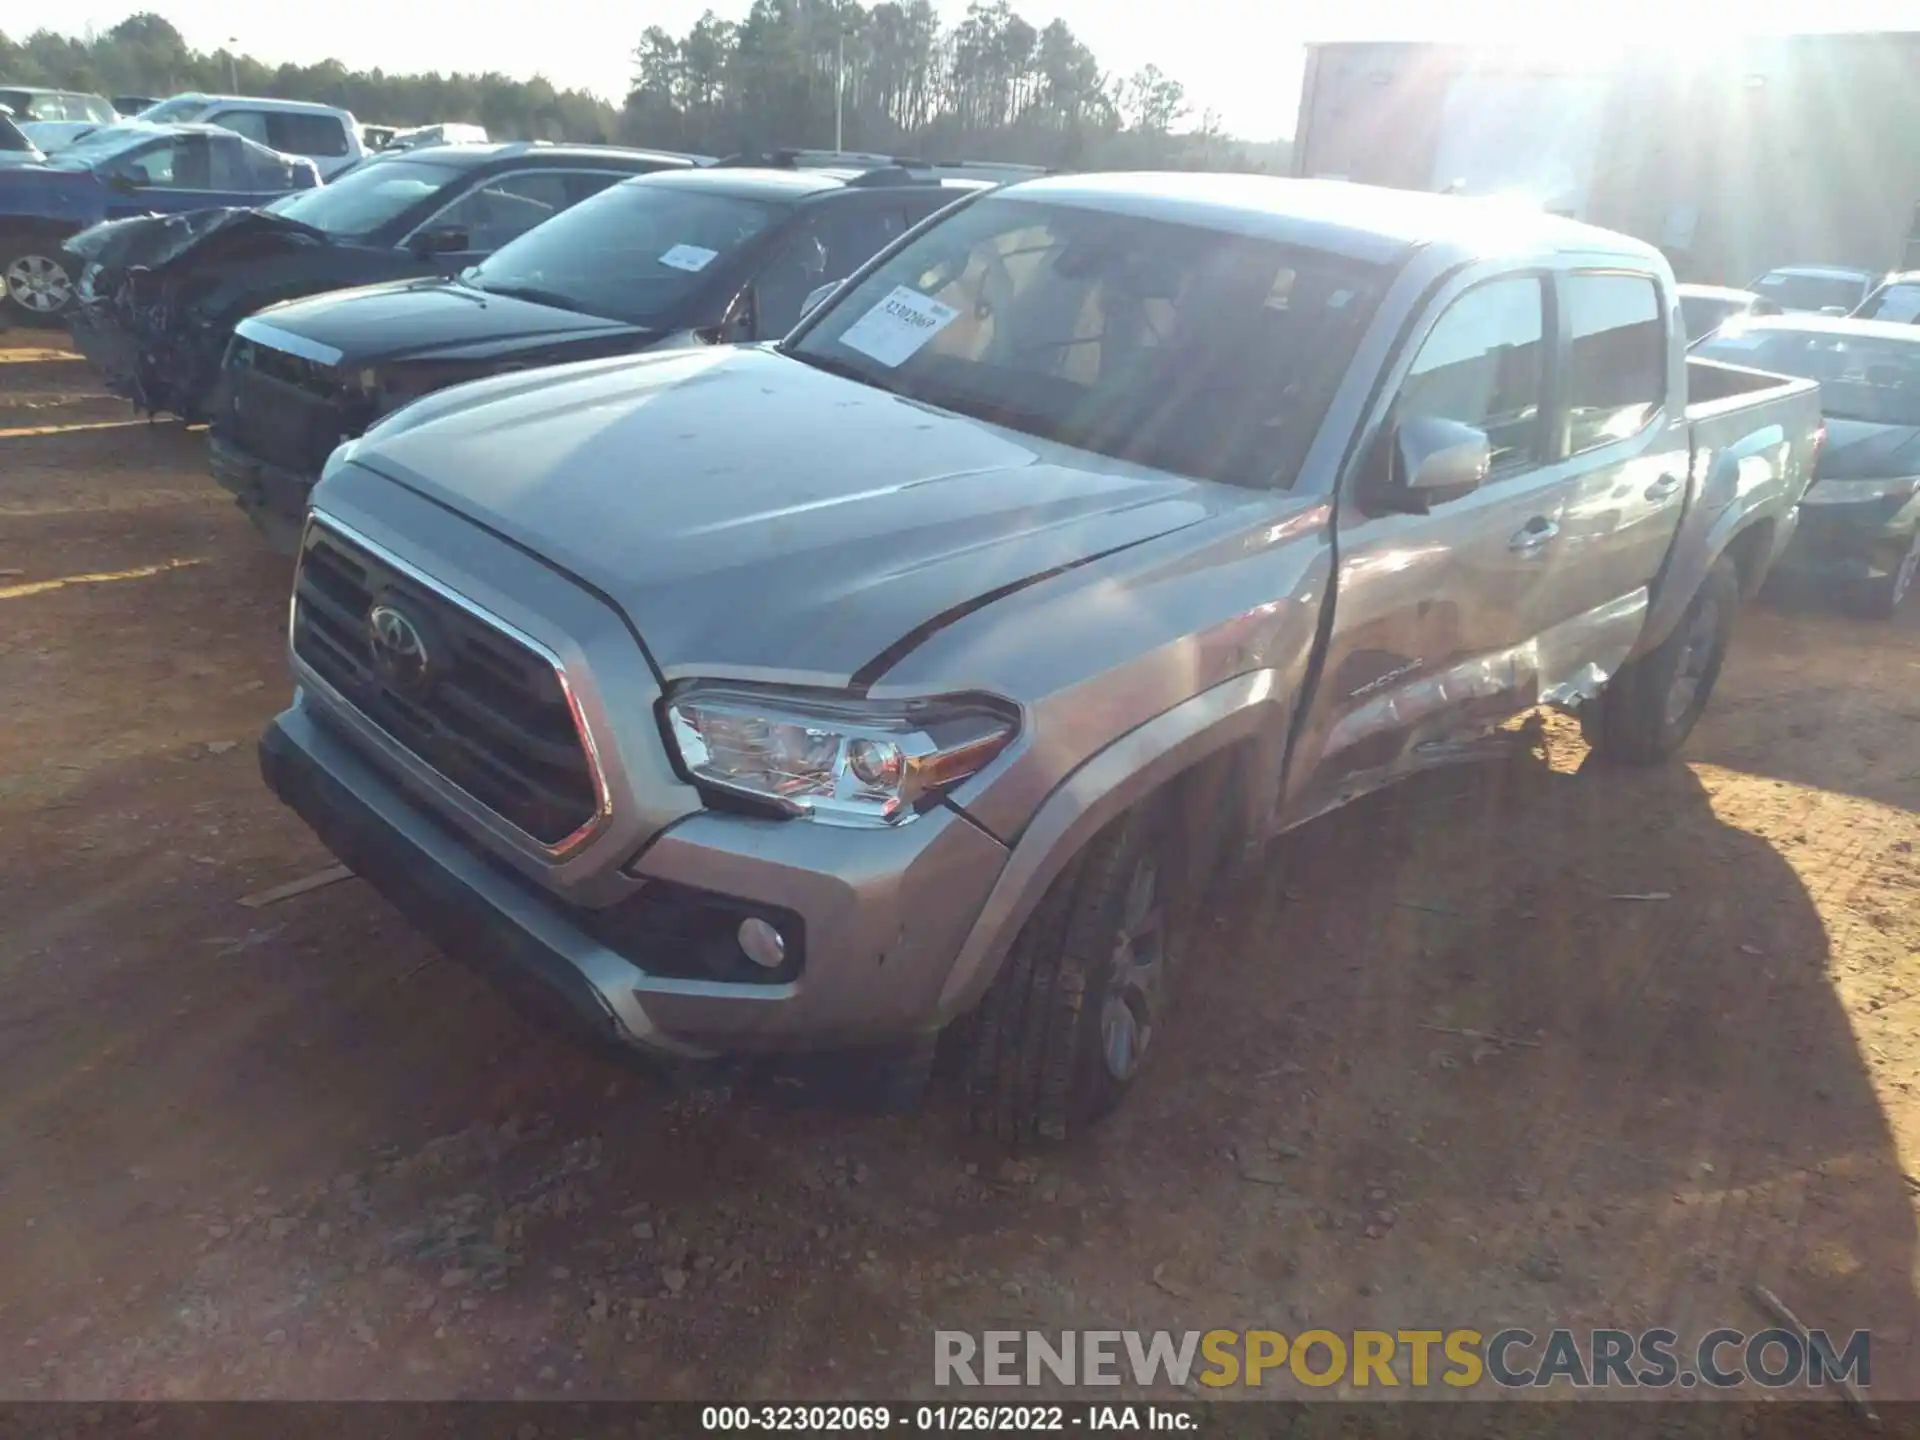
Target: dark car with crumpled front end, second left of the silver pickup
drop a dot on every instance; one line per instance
(160, 295)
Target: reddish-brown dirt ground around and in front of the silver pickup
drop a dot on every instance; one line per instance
(293, 1153)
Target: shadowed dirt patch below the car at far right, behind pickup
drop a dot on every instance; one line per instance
(1815, 698)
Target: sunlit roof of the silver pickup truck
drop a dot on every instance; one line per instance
(1360, 220)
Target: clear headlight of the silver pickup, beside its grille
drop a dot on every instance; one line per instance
(838, 761)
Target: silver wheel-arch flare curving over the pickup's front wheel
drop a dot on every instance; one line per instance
(1251, 708)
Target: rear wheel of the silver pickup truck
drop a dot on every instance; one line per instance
(1652, 706)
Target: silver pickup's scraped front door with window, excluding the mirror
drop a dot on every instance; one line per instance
(1435, 613)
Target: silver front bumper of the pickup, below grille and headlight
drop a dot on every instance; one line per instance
(884, 913)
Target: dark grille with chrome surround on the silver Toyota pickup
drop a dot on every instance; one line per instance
(491, 715)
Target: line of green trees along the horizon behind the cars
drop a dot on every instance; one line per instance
(990, 87)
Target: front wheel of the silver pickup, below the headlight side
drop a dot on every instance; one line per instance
(1063, 1032)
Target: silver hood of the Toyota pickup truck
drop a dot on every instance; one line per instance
(756, 517)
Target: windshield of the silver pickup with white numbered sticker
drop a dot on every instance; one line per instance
(1176, 347)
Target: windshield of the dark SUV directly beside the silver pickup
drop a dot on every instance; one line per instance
(633, 252)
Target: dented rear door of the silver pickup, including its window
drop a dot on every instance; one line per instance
(1621, 441)
